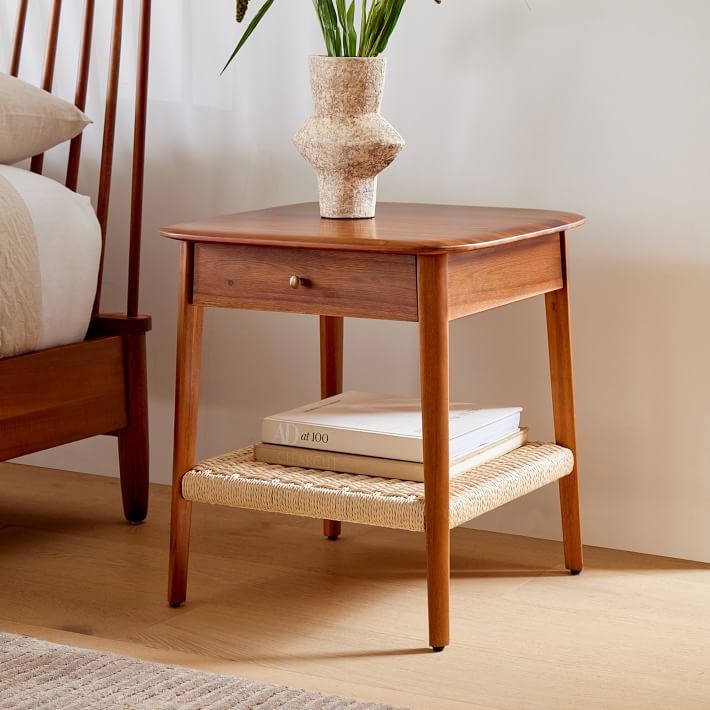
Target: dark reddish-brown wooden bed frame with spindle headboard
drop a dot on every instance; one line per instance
(97, 386)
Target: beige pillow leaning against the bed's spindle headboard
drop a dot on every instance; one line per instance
(32, 120)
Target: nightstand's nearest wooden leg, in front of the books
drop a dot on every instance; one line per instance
(434, 376)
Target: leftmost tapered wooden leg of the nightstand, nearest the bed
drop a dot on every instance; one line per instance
(189, 347)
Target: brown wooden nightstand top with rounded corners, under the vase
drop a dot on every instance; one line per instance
(398, 228)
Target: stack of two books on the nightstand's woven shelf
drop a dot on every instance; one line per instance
(381, 435)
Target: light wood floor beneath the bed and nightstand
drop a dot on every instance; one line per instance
(270, 599)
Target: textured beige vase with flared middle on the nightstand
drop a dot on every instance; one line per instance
(347, 142)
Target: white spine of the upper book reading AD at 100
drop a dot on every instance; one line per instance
(345, 441)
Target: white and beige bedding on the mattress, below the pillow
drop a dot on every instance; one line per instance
(50, 246)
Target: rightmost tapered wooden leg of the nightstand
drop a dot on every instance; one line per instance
(559, 340)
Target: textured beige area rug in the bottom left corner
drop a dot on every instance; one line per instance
(36, 674)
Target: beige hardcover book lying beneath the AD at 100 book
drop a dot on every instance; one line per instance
(382, 468)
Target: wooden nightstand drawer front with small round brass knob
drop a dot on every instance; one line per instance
(334, 283)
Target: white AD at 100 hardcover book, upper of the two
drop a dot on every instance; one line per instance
(384, 426)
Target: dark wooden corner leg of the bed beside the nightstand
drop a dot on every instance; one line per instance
(133, 451)
